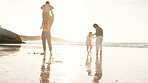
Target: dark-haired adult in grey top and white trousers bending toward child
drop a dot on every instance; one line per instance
(99, 39)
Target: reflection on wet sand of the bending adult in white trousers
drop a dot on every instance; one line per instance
(98, 70)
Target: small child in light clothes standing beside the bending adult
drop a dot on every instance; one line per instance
(89, 42)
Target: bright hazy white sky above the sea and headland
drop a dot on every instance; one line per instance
(121, 20)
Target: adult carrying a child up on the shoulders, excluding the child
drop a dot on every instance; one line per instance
(46, 26)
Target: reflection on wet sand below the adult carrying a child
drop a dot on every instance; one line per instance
(45, 71)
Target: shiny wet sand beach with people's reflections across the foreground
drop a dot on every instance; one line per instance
(70, 63)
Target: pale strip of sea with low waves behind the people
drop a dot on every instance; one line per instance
(105, 44)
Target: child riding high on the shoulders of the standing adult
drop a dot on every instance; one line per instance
(45, 14)
